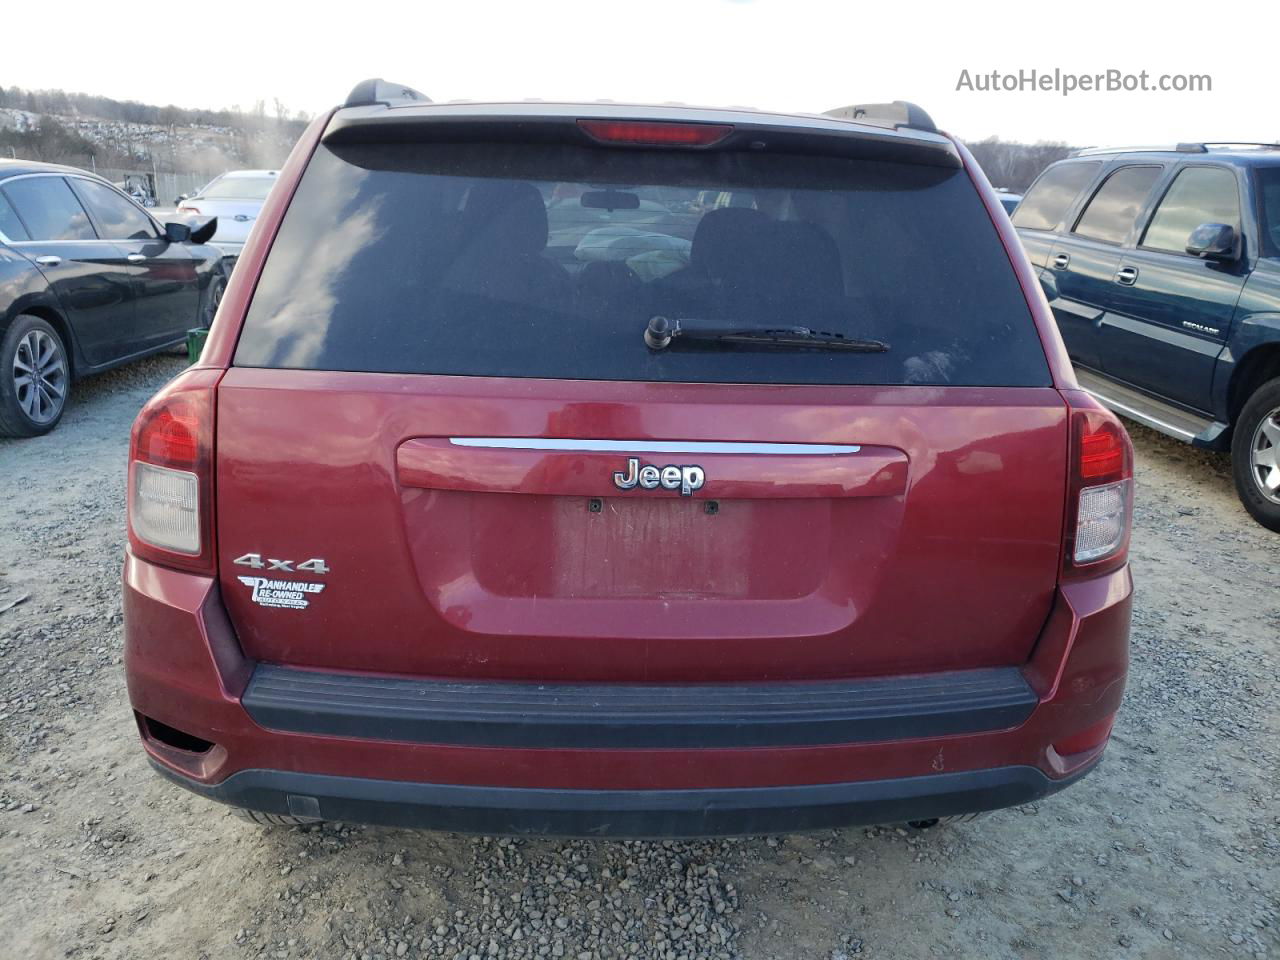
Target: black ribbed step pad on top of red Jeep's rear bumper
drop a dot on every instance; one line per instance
(611, 716)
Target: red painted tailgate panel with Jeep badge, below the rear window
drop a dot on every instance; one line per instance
(935, 546)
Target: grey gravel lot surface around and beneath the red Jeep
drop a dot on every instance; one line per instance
(1171, 851)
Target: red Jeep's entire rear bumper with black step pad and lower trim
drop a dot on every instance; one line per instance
(412, 752)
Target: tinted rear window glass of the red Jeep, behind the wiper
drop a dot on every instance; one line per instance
(548, 262)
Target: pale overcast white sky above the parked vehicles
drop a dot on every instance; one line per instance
(794, 56)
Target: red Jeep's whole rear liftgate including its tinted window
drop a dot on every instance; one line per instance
(428, 442)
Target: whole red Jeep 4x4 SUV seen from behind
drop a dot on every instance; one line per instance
(644, 472)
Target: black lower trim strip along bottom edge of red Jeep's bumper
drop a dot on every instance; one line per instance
(628, 813)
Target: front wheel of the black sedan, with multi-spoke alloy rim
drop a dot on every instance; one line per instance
(33, 349)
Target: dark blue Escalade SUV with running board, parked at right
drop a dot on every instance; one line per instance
(1163, 268)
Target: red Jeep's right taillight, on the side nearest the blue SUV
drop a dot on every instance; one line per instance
(1100, 495)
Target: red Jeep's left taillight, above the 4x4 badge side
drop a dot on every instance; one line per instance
(171, 476)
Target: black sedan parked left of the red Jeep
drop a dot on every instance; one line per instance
(88, 281)
